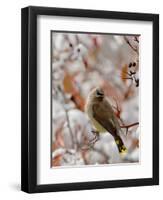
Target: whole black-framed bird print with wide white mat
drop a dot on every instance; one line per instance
(90, 99)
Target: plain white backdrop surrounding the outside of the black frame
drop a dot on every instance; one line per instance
(10, 79)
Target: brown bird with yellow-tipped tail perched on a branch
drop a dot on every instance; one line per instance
(103, 117)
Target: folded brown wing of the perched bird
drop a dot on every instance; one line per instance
(103, 113)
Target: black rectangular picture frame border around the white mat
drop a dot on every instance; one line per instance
(29, 98)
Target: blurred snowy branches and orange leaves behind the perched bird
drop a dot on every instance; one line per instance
(81, 62)
